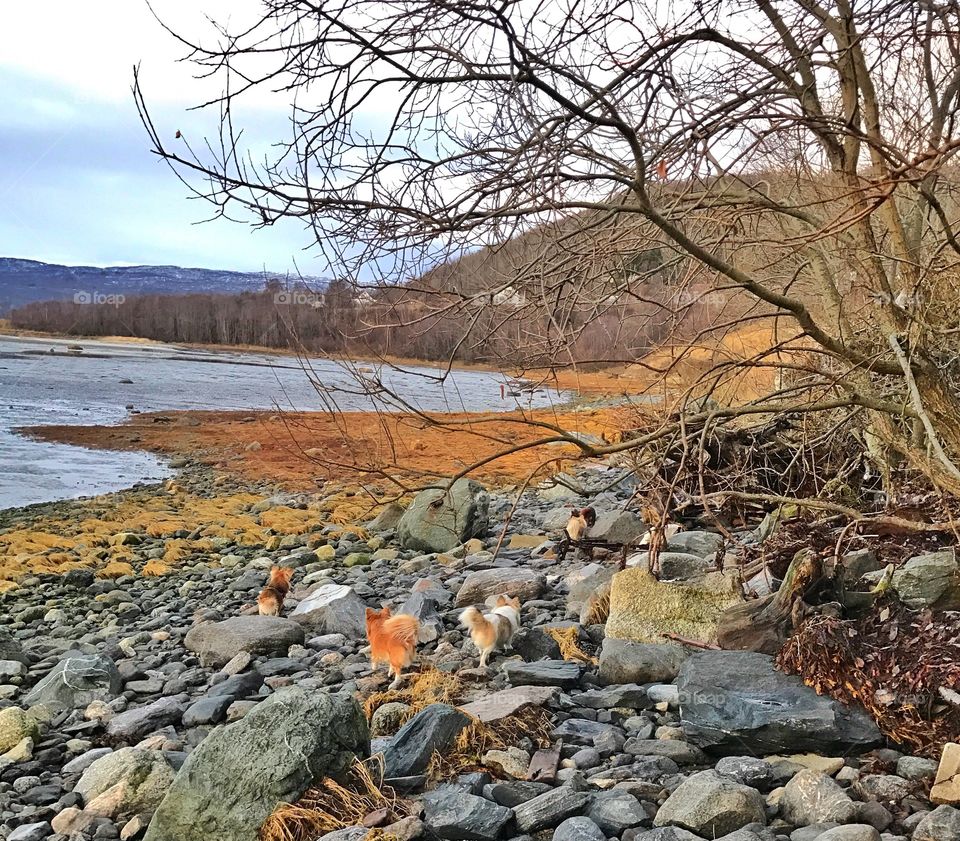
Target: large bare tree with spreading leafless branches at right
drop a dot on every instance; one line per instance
(791, 158)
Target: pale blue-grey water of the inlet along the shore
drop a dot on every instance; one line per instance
(39, 387)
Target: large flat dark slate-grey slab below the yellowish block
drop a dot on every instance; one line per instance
(736, 700)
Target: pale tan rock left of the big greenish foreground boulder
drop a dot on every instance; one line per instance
(141, 779)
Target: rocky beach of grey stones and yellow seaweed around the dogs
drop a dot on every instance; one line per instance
(142, 697)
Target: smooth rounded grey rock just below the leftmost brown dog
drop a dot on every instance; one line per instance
(217, 643)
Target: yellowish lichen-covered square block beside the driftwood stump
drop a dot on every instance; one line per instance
(643, 609)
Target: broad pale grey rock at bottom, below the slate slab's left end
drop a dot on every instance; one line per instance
(711, 805)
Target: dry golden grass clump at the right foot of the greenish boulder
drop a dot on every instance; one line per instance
(329, 806)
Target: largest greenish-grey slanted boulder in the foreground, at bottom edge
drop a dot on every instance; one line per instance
(238, 775)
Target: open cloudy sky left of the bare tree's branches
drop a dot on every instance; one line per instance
(78, 184)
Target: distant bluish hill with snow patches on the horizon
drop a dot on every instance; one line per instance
(25, 281)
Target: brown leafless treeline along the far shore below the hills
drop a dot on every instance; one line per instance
(339, 320)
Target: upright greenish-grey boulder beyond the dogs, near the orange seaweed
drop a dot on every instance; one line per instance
(439, 519)
